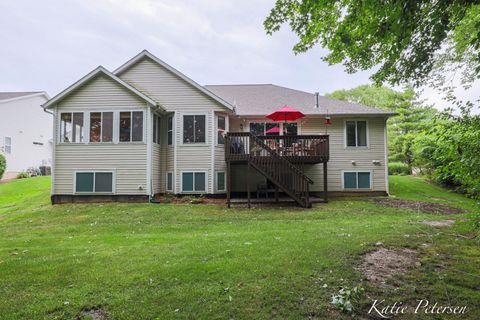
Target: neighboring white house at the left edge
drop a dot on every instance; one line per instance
(25, 131)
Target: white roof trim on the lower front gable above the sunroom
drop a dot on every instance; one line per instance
(97, 71)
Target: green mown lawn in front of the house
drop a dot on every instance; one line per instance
(148, 261)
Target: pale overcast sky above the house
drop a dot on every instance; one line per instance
(47, 45)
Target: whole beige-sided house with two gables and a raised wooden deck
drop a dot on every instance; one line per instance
(146, 128)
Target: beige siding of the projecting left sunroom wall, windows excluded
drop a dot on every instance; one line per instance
(128, 160)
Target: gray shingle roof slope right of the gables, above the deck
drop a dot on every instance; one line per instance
(262, 99)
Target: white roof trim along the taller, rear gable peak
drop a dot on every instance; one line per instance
(145, 54)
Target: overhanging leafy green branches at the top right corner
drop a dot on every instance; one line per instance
(406, 40)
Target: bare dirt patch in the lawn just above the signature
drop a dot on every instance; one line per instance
(380, 265)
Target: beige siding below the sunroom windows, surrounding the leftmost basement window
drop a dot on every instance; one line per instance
(128, 161)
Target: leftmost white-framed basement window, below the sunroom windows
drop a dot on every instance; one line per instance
(94, 182)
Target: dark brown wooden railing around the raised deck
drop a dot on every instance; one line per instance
(298, 148)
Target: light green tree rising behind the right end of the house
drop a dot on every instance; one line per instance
(412, 116)
